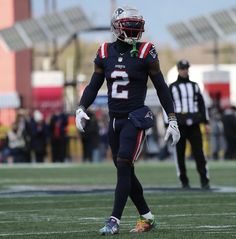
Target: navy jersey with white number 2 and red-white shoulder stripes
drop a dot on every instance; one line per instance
(126, 76)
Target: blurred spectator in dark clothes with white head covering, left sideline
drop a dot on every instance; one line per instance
(39, 136)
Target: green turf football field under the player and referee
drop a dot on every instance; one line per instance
(34, 204)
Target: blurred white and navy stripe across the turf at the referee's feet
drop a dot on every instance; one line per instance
(61, 190)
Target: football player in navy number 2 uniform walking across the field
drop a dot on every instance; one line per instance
(126, 65)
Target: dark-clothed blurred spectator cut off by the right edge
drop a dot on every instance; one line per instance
(229, 122)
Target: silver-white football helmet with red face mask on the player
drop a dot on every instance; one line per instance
(127, 24)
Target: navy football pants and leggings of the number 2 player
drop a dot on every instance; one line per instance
(125, 141)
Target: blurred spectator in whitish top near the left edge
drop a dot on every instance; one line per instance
(16, 143)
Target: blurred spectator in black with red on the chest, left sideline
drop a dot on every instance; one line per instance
(58, 125)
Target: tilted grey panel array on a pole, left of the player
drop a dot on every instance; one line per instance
(69, 22)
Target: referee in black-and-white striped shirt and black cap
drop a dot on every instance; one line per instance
(190, 112)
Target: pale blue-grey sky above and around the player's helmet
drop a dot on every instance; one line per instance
(157, 14)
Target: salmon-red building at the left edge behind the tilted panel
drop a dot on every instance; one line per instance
(15, 67)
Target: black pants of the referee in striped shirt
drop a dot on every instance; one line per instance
(193, 135)
